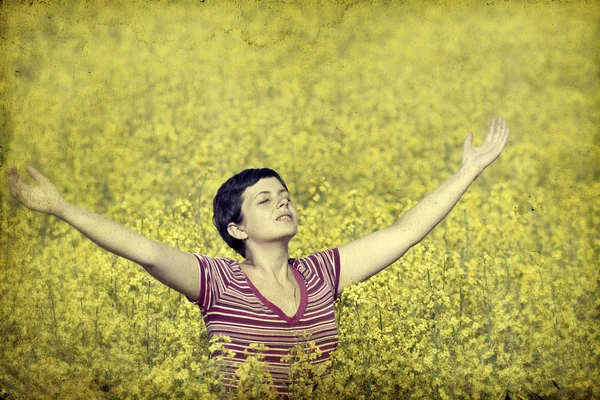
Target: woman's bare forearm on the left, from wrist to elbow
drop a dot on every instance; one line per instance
(108, 234)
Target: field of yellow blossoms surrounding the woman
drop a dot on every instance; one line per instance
(140, 110)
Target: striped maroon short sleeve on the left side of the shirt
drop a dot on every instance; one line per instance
(213, 280)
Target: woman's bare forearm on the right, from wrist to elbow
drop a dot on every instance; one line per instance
(420, 219)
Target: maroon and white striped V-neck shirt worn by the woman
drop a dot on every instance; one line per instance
(231, 305)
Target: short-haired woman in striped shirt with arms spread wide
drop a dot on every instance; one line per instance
(268, 298)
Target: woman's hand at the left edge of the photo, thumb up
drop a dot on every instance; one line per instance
(45, 197)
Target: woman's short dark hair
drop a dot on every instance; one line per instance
(227, 204)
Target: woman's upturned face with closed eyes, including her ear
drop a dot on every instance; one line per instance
(268, 213)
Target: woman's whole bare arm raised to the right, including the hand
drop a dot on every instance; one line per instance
(364, 257)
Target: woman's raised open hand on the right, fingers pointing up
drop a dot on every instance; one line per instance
(480, 157)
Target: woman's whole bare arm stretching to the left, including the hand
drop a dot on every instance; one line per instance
(173, 267)
